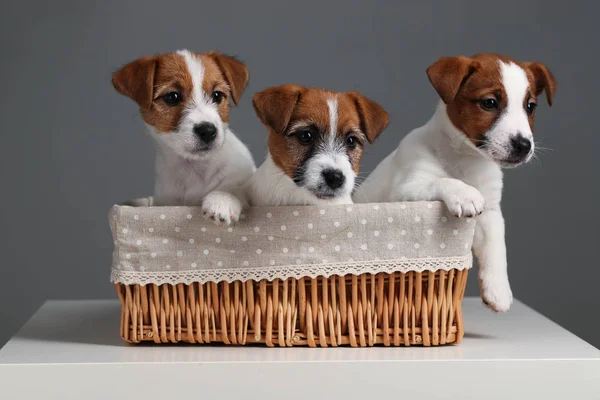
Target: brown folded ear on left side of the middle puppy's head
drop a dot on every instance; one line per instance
(274, 106)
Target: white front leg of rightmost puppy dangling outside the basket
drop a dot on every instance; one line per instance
(490, 249)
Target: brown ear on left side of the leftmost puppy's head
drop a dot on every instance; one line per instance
(136, 80)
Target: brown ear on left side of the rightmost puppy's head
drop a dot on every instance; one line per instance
(448, 74)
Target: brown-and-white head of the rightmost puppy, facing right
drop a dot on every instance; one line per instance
(492, 100)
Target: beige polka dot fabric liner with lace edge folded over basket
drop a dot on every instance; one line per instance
(178, 245)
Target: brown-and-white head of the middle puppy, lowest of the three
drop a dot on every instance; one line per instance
(317, 137)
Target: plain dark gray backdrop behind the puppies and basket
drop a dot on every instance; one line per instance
(71, 146)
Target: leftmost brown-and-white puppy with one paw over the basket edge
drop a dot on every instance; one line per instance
(184, 99)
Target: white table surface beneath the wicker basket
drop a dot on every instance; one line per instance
(72, 349)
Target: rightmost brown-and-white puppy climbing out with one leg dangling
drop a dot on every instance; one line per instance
(483, 123)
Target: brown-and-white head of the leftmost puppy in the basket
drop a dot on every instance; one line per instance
(184, 97)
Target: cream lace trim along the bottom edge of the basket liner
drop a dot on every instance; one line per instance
(293, 271)
